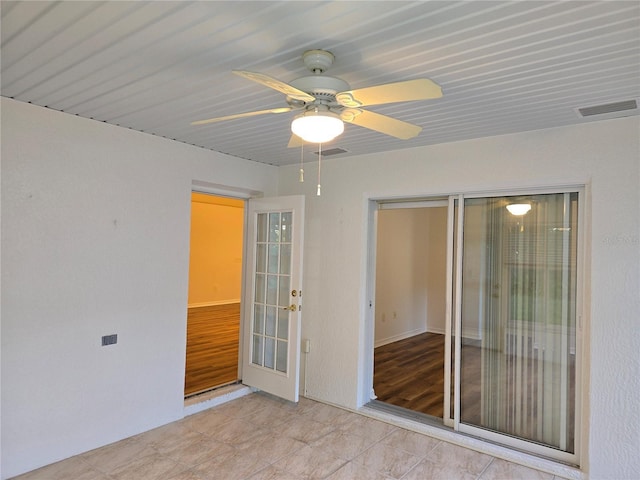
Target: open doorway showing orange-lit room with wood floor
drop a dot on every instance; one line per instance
(215, 290)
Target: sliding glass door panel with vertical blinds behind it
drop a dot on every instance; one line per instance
(516, 320)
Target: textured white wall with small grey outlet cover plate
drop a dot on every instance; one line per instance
(95, 241)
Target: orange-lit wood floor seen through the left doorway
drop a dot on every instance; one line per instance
(212, 347)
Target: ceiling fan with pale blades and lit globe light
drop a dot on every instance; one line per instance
(325, 102)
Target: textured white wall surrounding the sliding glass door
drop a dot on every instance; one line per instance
(604, 155)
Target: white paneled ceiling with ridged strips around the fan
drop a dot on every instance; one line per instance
(504, 66)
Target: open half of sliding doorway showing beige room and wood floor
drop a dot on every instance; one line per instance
(410, 299)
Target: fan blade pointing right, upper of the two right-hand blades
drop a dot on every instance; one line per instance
(406, 91)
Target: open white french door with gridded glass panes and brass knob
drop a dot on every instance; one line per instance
(272, 307)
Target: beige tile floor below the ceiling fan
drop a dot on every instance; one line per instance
(259, 437)
